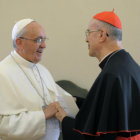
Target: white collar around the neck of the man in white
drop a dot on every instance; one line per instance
(21, 60)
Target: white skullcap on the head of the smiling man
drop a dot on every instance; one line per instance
(19, 26)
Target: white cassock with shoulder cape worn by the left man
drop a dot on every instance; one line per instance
(21, 100)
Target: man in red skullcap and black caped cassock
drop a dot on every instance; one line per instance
(111, 110)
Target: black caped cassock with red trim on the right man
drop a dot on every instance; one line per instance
(112, 106)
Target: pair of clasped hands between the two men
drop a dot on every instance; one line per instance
(54, 109)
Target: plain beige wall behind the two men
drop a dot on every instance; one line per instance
(65, 22)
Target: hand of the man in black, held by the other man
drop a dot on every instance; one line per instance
(60, 113)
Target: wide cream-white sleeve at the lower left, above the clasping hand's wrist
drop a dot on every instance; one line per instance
(26, 125)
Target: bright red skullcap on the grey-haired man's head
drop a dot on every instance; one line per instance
(109, 17)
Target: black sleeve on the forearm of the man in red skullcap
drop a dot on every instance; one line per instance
(67, 130)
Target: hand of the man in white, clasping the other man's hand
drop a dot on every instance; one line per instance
(51, 110)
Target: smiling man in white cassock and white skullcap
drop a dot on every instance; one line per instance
(28, 93)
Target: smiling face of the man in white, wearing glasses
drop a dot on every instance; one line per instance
(28, 47)
